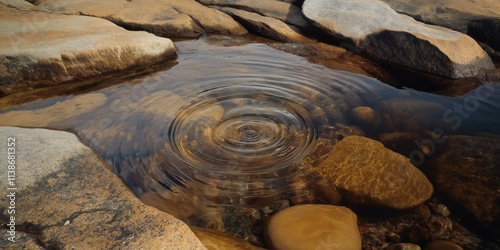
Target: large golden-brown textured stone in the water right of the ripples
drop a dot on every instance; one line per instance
(367, 173)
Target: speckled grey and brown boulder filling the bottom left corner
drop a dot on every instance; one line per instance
(70, 200)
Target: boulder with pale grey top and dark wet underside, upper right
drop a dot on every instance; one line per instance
(379, 31)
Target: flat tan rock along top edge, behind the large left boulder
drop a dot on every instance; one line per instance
(168, 18)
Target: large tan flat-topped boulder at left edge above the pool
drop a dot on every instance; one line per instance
(54, 48)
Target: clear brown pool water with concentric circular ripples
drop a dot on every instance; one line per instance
(238, 127)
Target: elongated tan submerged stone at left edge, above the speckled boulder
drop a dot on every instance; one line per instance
(58, 112)
